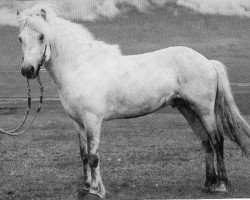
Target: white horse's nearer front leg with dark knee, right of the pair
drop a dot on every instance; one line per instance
(93, 126)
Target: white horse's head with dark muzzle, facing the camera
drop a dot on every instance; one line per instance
(35, 40)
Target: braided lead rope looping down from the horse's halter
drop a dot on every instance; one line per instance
(16, 131)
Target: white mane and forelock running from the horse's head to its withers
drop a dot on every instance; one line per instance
(31, 17)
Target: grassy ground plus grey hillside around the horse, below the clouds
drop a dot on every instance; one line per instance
(151, 157)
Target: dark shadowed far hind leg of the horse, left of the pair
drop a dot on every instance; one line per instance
(197, 127)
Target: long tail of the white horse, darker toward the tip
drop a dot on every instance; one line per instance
(229, 120)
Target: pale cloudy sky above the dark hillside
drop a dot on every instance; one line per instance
(94, 9)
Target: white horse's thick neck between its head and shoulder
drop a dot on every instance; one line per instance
(69, 44)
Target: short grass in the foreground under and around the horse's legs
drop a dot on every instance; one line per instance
(151, 157)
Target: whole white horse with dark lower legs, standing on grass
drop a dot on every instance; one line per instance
(97, 83)
